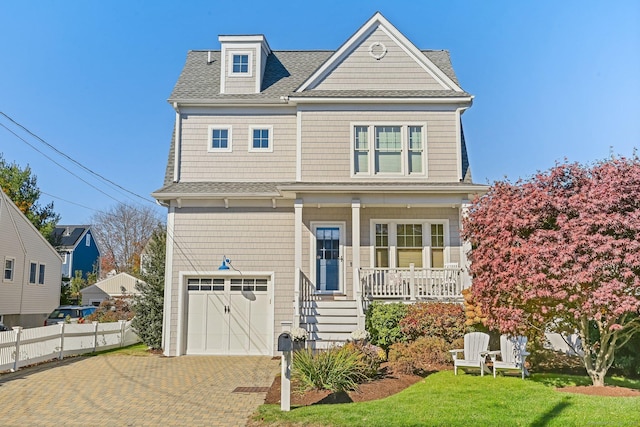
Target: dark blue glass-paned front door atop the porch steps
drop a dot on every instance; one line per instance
(328, 259)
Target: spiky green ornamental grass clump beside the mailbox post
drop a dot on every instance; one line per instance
(336, 369)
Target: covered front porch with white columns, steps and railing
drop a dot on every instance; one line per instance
(354, 244)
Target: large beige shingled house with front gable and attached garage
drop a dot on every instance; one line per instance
(302, 185)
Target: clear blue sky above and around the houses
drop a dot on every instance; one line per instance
(551, 79)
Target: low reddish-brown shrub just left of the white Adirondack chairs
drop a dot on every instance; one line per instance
(424, 355)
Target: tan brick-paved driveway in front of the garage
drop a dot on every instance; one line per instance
(120, 390)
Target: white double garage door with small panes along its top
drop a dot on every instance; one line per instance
(228, 316)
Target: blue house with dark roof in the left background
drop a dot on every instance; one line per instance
(78, 249)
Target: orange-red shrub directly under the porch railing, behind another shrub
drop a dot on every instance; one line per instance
(434, 319)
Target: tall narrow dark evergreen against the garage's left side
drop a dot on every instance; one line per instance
(149, 304)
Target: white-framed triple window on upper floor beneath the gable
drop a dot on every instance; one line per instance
(389, 150)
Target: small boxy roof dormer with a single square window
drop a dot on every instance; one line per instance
(243, 60)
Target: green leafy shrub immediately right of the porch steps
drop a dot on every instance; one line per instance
(382, 322)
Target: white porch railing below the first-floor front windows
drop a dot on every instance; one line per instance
(411, 283)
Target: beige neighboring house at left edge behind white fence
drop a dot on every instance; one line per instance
(30, 286)
